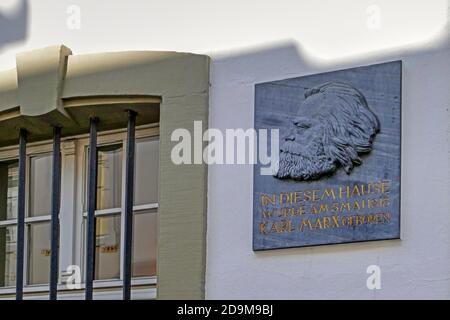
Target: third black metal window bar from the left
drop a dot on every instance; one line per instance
(91, 204)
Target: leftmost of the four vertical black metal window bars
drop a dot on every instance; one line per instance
(21, 213)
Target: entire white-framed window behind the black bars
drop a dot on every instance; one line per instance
(109, 213)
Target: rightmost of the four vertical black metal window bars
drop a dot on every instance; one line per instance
(129, 197)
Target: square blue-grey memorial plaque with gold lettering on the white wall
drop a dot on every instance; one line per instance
(338, 174)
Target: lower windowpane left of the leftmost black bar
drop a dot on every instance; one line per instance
(8, 251)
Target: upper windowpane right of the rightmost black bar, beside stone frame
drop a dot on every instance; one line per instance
(147, 168)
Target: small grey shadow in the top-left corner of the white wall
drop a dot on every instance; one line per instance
(14, 27)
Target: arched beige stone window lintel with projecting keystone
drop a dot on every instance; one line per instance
(51, 87)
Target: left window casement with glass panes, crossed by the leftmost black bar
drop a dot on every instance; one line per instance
(37, 220)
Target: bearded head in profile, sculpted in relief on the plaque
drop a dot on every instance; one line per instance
(333, 126)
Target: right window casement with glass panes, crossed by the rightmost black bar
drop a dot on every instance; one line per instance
(110, 209)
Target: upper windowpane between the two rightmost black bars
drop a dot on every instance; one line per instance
(109, 178)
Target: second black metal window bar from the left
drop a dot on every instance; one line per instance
(56, 203)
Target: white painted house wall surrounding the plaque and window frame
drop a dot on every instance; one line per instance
(261, 41)
